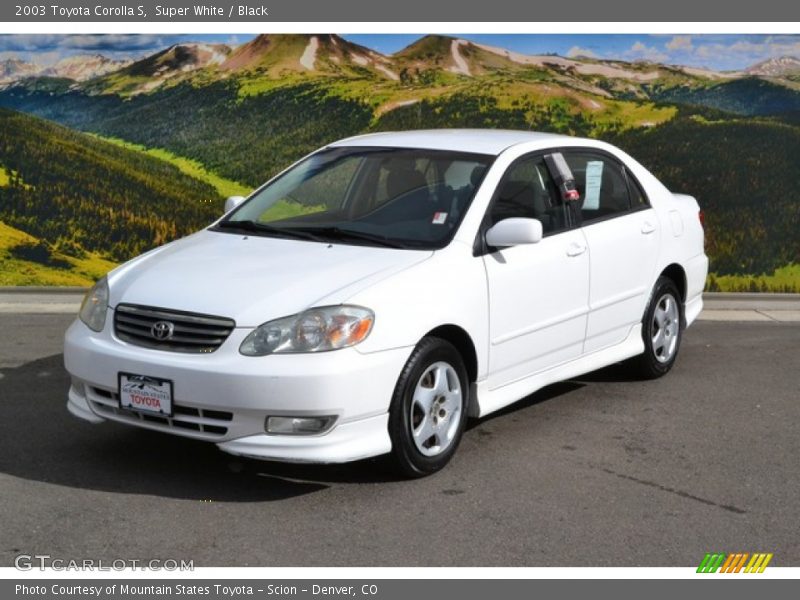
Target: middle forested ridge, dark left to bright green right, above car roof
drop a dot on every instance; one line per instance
(249, 138)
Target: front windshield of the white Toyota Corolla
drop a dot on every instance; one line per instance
(393, 197)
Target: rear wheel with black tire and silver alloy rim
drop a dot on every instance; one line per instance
(662, 330)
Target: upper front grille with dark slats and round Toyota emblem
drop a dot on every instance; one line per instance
(182, 331)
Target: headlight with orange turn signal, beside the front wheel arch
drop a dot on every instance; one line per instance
(315, 330)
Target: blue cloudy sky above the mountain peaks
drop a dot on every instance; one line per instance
(720, 52)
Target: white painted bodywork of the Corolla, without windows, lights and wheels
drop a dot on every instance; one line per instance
(535, 313)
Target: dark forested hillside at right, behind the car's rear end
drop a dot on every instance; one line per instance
(743, 173)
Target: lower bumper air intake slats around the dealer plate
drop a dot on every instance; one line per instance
(206, 423)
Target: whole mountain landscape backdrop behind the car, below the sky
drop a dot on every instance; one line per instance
(103, 159)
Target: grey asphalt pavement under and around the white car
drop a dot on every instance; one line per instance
(600, 471)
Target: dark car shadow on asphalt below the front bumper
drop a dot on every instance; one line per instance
(41, 441)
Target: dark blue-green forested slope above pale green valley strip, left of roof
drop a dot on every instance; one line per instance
(243, 139)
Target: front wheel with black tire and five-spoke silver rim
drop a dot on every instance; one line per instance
(431, 400)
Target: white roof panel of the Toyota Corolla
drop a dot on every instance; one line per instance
(480, 141)
